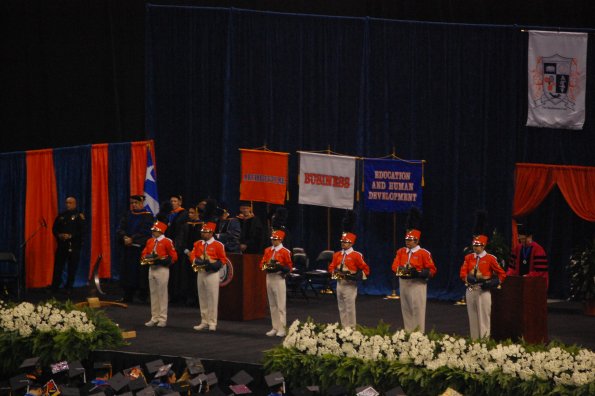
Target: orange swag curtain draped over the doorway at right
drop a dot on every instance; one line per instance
(535, 181)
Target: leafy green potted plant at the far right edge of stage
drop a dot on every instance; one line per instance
(582, 276)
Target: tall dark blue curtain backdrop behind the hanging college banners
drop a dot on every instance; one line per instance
(454, 95)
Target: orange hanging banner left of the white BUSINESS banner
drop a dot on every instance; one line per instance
(264, 176)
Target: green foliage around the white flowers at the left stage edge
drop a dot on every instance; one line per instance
(55, 346)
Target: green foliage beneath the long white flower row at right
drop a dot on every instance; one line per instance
(302, 369)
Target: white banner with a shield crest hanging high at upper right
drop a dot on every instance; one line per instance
(557, 79)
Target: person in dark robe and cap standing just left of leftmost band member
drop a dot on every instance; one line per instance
(133, 232)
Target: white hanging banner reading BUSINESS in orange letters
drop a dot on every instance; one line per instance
(327, 180)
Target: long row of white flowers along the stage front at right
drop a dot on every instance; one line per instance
(554, 364)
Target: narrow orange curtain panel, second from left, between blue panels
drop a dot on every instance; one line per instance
(100, 220)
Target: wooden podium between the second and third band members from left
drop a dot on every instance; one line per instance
(244, 298)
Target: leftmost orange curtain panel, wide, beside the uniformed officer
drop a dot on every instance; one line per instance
(41, 206)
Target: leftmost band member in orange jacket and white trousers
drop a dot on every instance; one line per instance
(160, 253)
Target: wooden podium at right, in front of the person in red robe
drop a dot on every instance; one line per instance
(519, 309)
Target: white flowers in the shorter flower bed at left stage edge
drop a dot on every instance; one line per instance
(26, 319)
